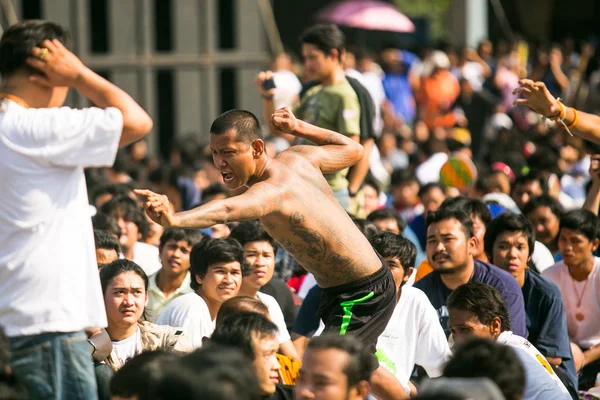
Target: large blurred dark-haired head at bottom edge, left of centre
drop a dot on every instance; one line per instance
(210, 373)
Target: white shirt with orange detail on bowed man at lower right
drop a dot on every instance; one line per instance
(541, 383)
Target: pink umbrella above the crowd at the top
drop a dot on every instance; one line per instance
(366, 14)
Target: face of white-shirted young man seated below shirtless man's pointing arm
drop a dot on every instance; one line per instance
(222, 281)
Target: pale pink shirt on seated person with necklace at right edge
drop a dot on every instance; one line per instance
(585, 333)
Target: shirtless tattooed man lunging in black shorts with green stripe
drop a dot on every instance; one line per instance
(292, 199)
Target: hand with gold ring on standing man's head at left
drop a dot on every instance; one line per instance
(56, 64)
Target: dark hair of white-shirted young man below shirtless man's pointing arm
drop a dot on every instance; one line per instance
(211, 251)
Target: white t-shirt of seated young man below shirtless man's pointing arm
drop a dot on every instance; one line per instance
(190, 313)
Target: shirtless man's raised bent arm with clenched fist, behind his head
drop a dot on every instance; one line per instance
(335, 151)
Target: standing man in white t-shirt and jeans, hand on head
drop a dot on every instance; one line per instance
(49, 286)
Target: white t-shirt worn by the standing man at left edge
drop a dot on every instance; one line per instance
(48, 274)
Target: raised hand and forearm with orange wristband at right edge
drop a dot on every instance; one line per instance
(536, 96)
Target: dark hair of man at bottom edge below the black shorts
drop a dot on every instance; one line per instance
(361, 363)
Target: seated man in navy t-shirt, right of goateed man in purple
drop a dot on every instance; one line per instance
(509, 242)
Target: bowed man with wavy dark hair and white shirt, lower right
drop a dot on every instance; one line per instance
(477, 309)
